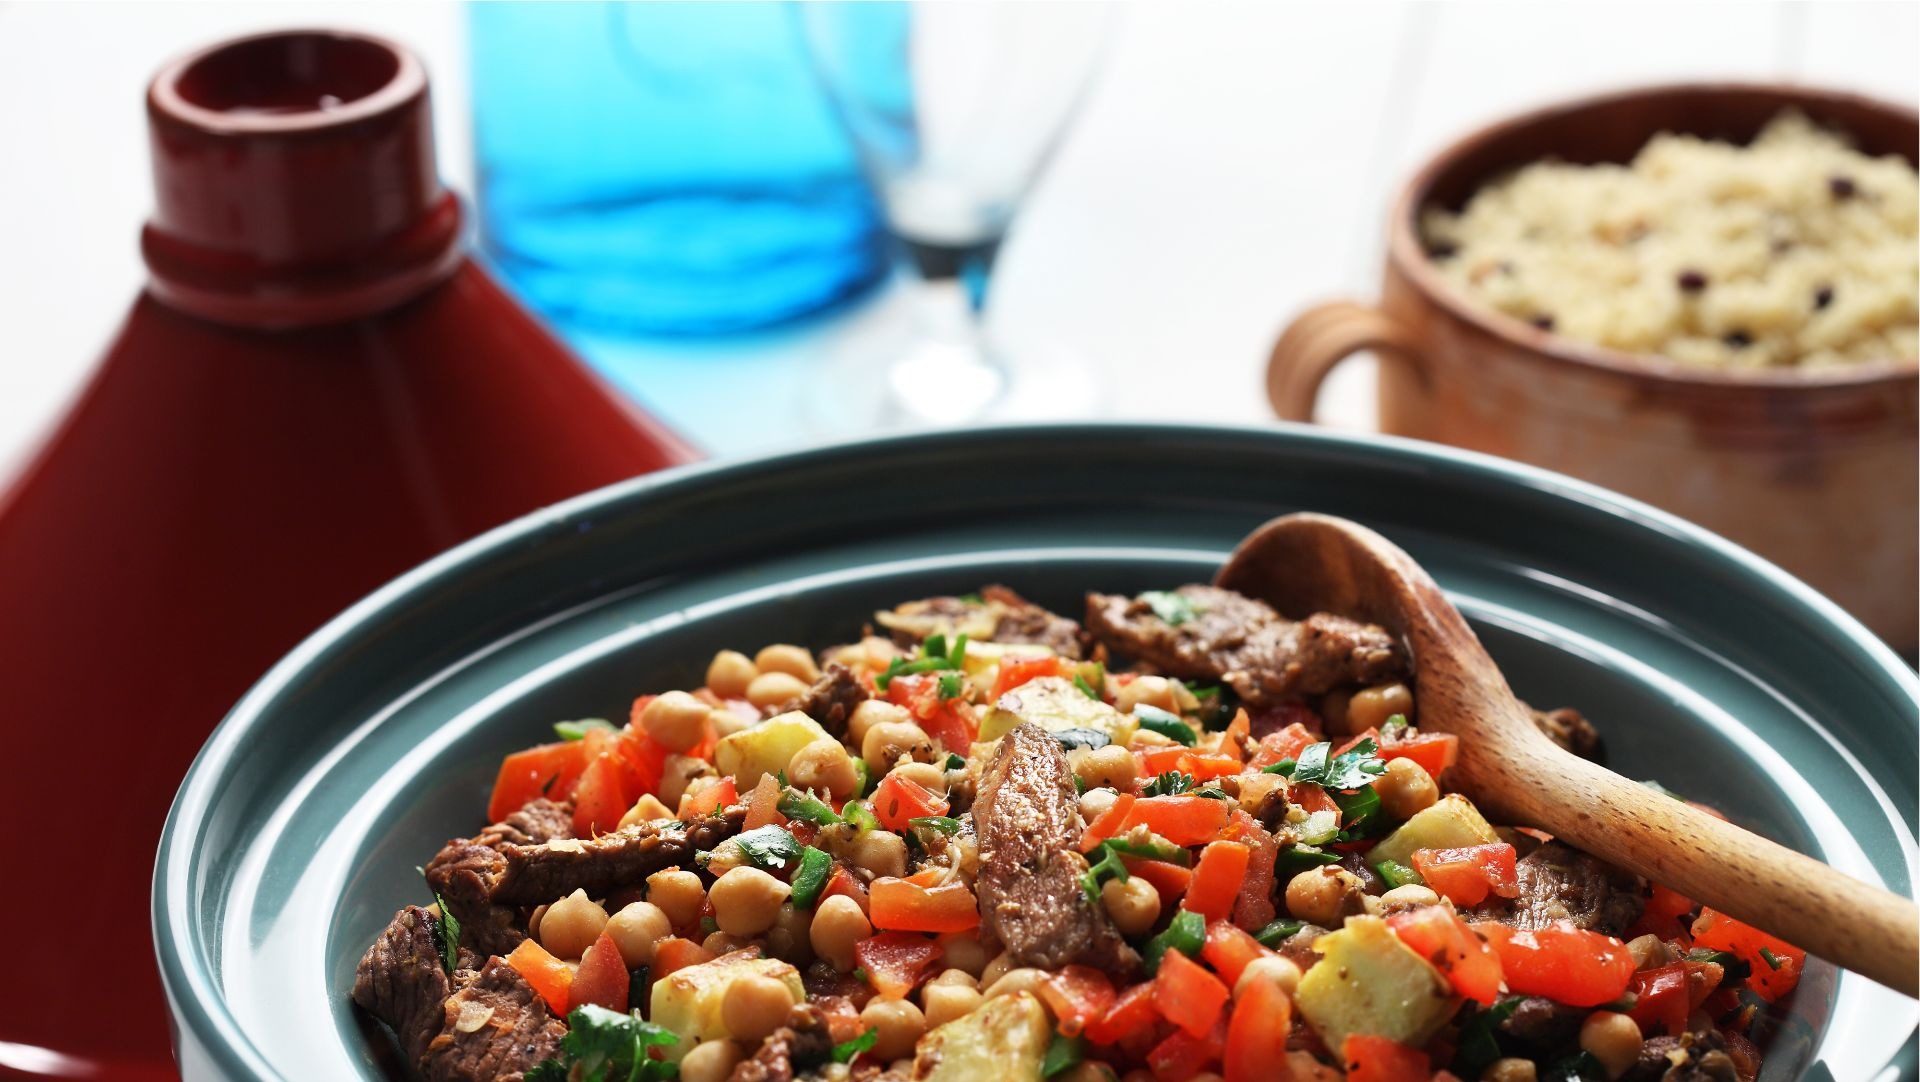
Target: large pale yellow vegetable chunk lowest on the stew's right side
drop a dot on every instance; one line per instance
(1372, 983)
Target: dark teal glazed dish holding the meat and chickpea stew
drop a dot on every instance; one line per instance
(300, 826)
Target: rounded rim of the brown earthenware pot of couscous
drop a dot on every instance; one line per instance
(1410, 258)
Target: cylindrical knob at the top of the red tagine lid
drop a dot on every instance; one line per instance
(295, 181)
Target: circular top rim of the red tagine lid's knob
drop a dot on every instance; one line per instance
(166, 99)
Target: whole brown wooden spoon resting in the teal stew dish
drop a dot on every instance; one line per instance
(1314, 563)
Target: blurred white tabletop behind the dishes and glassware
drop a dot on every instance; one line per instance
(1232, 168)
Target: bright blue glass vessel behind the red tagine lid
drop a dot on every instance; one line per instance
(665, 168)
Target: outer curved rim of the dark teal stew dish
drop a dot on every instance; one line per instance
(199, 1006)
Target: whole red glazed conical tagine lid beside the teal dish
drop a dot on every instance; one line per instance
(318, 392)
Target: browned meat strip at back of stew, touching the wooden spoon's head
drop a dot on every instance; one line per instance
(1247, 646)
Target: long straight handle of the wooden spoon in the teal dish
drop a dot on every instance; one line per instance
(1744, 876)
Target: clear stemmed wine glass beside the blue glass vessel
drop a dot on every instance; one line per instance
(955, 110)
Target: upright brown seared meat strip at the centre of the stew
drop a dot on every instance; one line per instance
(1030, 897)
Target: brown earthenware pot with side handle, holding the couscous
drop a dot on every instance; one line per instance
(1815, 471)
